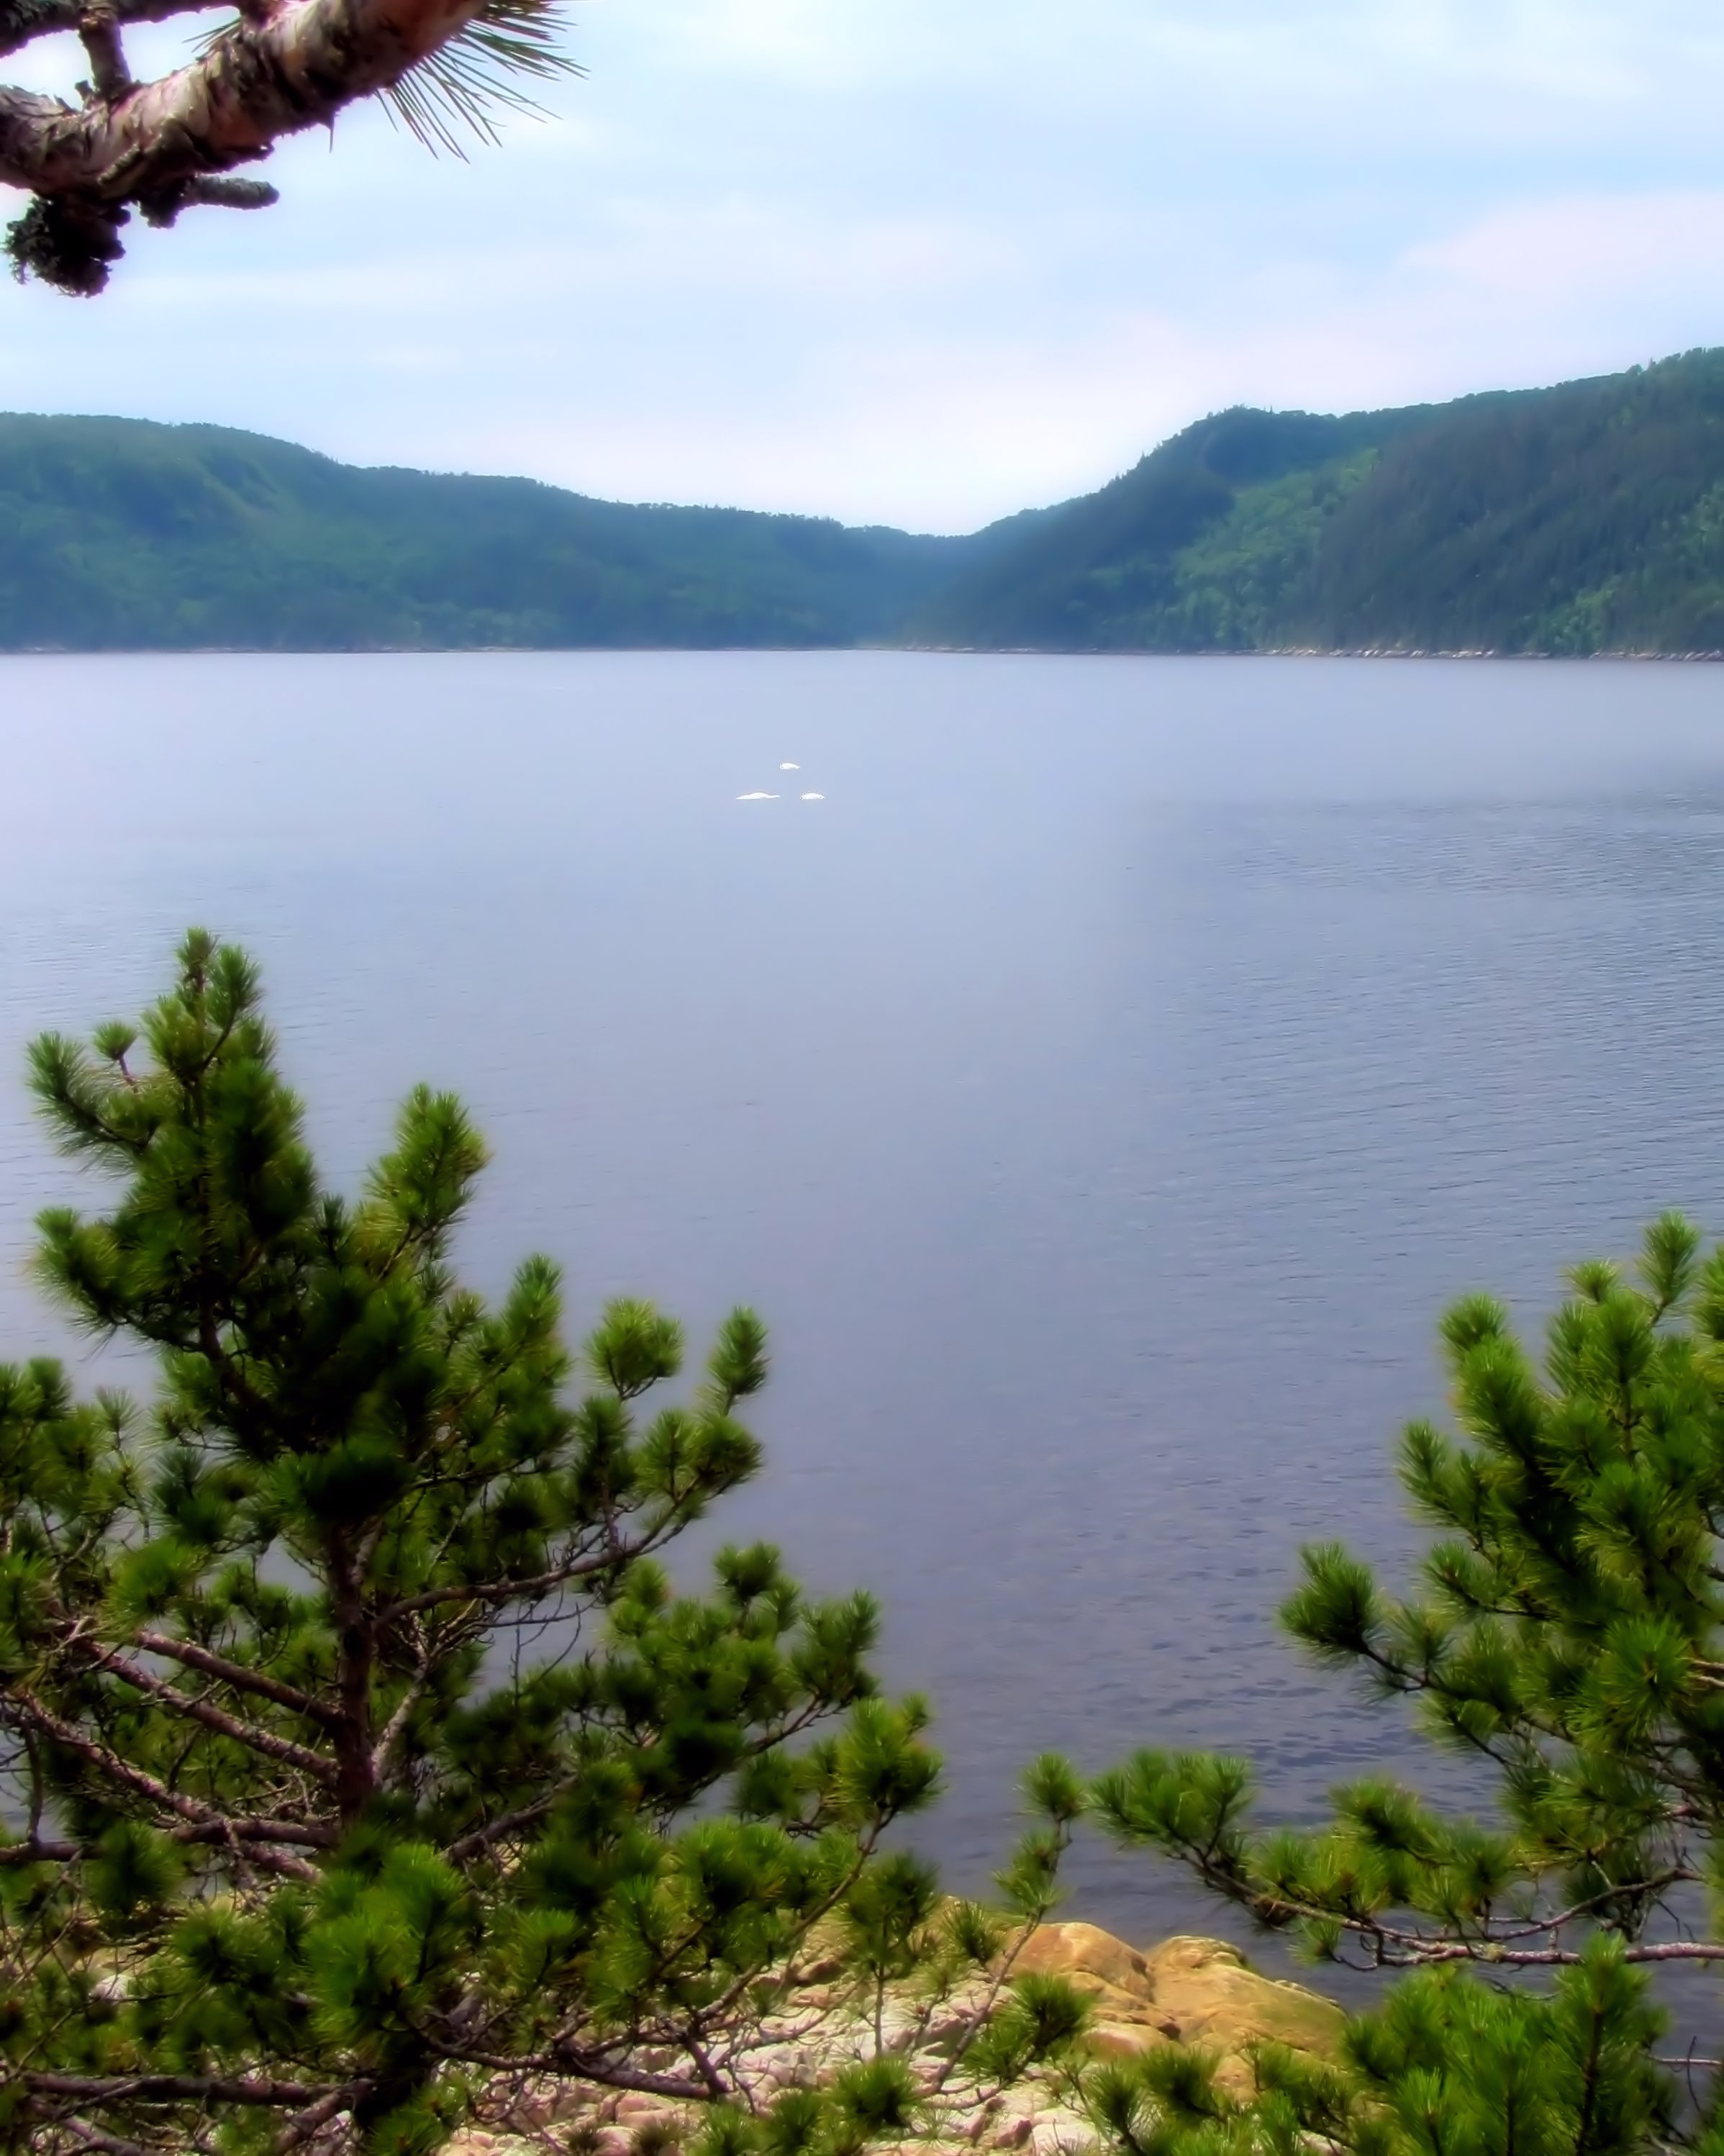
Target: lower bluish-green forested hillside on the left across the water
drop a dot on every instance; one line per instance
(128, 536)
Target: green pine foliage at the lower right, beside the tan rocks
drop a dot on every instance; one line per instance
(1568, 1633)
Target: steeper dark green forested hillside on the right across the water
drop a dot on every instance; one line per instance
(1572, 521)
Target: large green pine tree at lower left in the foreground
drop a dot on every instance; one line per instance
(361, 1758)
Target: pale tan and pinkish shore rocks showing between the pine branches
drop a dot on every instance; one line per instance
(1186, 1991)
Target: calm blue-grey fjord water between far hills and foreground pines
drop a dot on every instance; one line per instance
(1100, 1090)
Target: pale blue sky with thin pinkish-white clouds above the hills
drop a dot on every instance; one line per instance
(930, 262)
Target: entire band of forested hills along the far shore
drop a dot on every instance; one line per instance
(1572, 521)
